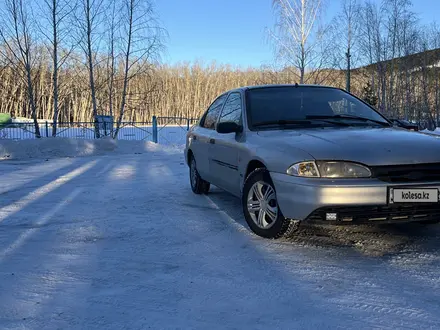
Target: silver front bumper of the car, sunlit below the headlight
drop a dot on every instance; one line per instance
(353, 200)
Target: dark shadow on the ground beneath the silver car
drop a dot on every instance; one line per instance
(372, 240)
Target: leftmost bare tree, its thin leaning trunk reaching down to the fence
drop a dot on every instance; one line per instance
(16, 31)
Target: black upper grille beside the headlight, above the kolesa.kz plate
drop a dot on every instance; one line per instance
(407, 173)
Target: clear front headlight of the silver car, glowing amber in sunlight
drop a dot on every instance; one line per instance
(329, 169)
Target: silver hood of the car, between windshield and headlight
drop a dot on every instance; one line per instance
(370, 146)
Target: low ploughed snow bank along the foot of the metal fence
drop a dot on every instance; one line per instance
(65, 147)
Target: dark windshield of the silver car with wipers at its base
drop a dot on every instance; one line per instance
(307, 106)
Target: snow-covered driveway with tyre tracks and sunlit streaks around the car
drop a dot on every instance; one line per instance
(120, 242)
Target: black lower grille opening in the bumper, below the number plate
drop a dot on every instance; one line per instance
(379, 213)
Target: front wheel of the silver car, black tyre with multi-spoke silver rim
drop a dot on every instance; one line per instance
(260, 207)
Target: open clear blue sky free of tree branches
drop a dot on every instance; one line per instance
(233, 31)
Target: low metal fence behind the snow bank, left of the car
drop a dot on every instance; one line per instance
(165, 130)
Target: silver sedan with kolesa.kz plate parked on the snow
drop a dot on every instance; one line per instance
(296, 153)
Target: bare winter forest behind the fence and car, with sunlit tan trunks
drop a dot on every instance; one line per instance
(83, 58)
